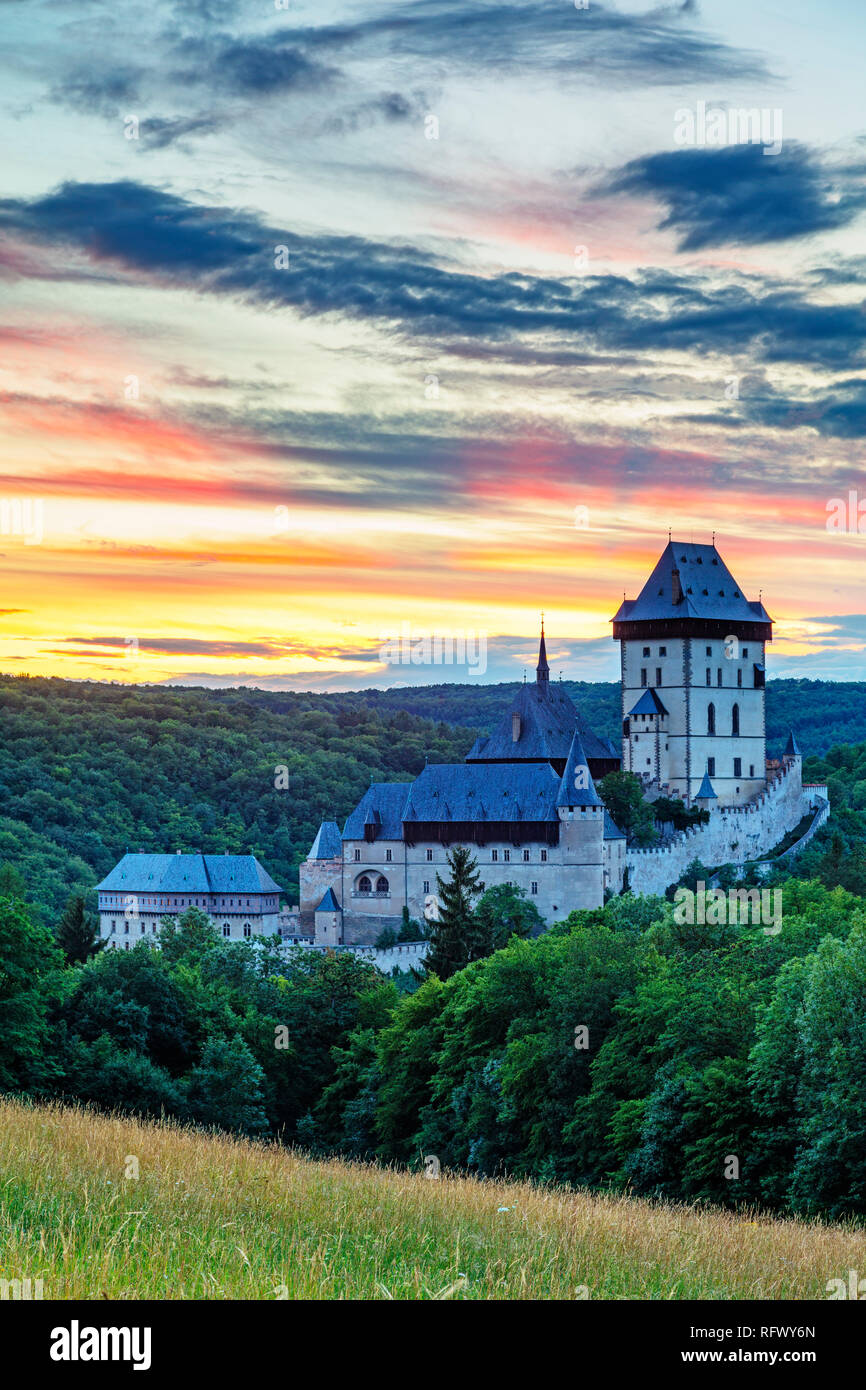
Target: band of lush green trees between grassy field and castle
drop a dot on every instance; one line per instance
(619, 1050)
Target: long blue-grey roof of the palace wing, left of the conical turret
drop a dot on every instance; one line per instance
(484, 792)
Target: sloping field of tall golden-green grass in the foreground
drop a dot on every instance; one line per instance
(211, 1217)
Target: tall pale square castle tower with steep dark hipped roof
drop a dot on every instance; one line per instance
(693, 679)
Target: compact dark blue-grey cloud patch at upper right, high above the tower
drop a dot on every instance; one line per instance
(739, 195)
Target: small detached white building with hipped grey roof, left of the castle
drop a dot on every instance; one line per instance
(234, 890)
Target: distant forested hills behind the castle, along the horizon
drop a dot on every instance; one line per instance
(88, 769)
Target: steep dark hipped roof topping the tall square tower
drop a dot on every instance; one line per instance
(710, 590)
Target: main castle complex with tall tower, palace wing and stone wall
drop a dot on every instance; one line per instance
(525, 800)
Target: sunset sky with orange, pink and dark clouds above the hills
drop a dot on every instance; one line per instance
(344, 338)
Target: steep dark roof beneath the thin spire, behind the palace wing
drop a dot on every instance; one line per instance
(548, 721)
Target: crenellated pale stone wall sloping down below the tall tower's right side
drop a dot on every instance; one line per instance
(735, 835)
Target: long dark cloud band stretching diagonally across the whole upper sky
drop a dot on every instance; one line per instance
(141, 231)
